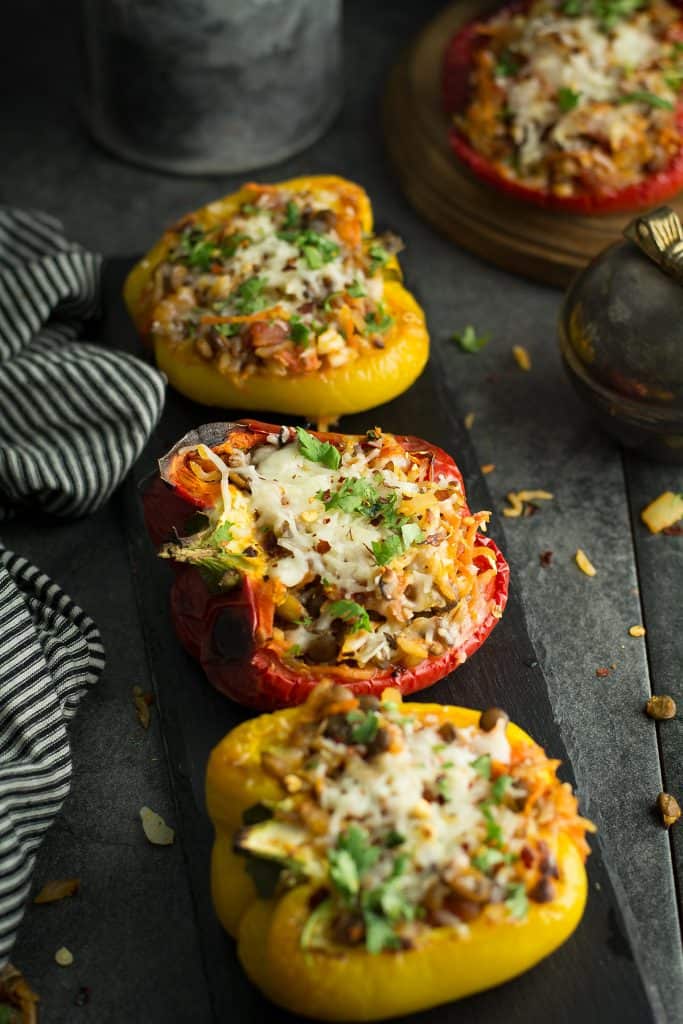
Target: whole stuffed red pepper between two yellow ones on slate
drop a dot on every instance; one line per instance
(304, 558)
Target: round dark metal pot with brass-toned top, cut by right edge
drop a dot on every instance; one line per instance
(622, 336)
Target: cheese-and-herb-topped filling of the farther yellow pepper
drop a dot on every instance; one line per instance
(288, 285)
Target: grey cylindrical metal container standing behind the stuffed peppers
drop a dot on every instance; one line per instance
(211, 87)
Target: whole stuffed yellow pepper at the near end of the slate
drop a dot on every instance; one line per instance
(374, 859)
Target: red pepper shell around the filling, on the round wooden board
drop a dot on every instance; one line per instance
(458, 63)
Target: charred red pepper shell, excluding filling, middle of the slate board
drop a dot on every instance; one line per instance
(231, 632)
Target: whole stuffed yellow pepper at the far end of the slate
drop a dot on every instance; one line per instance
(280, 297)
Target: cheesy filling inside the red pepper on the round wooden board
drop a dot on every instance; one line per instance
(570, 103)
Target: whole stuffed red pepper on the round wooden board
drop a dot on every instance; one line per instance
(572, 105)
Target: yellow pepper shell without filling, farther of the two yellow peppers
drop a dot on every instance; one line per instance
(364, 383)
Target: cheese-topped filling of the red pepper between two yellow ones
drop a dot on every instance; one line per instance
(370, 556)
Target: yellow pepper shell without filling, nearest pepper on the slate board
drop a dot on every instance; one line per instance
(356, 986)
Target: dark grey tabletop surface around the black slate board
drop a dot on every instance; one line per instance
(531, 425)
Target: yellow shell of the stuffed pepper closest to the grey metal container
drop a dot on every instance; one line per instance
(375, 377)
